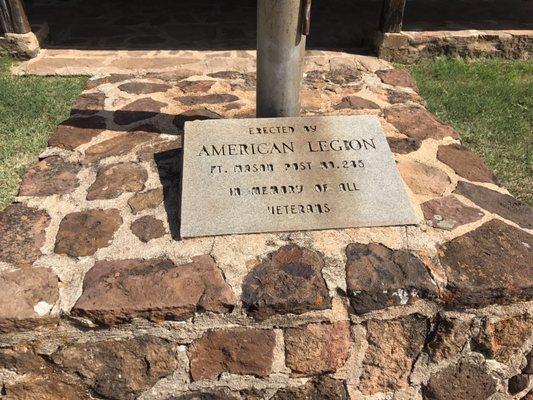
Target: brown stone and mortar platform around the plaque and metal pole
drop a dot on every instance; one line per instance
(101, 299)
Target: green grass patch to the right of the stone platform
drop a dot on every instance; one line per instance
(490, 103)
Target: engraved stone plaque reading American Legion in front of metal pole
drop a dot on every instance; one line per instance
(289, 174)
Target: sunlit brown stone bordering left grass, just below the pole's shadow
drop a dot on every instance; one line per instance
(50, 176)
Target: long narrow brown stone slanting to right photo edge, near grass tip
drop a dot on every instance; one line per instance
(502, 204)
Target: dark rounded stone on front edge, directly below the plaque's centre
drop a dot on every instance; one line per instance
(288, 281)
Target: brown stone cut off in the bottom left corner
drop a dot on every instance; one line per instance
(45, 388)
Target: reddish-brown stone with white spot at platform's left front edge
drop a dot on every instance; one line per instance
(26, 298)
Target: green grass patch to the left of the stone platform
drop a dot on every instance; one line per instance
(30, 108)
